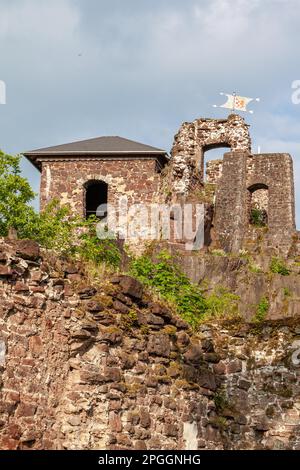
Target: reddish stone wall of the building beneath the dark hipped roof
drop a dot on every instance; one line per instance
(135, 178)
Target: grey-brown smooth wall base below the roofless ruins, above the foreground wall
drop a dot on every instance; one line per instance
(247, 276)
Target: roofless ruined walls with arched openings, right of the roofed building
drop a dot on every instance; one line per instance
(240, 170)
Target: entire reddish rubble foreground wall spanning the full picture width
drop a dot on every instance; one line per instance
(101, 366)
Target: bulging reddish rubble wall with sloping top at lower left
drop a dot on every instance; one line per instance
(93, 366)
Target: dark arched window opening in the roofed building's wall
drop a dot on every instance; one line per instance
(96, 193)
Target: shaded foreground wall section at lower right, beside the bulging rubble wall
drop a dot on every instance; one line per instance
(259, 407)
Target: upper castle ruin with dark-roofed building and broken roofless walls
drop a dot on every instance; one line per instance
(92, 172)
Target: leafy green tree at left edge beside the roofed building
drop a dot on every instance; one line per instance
(15, 196)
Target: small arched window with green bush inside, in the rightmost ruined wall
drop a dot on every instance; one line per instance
(258, 205)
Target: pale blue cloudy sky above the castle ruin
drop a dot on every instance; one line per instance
(76, 69)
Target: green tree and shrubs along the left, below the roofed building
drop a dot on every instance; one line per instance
(54, 228)
